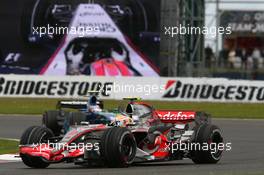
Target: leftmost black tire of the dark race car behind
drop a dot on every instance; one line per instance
(53, 121)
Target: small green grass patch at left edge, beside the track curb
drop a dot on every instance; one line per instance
(8, 146)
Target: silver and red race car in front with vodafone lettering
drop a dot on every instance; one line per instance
(138, 134)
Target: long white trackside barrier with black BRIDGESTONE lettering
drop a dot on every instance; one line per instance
(170, 89)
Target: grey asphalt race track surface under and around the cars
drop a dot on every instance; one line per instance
(246, 156)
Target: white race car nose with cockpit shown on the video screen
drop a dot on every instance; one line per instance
(103, 51)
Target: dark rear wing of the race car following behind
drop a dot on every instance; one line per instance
(80, 104)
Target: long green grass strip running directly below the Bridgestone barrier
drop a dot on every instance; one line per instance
(223, 110)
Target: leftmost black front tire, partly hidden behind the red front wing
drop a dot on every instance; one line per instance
(35, 135)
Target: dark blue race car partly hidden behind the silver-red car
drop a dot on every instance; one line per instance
(90, 110)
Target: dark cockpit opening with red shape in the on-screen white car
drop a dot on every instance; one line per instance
(98, 56)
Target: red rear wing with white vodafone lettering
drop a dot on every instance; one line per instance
(176, 115)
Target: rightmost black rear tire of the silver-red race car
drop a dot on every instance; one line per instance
(207, 134)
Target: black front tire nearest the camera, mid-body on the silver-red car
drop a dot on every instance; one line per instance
(118, 147)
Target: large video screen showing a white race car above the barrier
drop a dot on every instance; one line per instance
(74, 37)
